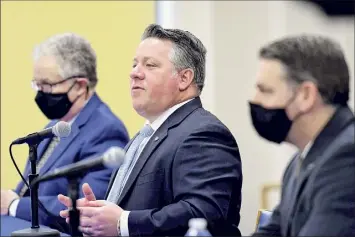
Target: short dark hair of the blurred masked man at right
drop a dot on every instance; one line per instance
(313, 58)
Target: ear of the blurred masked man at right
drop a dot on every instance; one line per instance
(308, 96)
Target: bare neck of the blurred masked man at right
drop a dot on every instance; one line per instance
(309, 127)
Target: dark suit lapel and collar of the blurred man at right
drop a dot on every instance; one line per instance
(340, 120)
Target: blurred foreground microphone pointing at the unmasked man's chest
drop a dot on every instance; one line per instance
(112, 158)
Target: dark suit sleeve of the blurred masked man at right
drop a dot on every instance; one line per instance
(333, 206)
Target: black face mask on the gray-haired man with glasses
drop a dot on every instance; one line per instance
(54, 106)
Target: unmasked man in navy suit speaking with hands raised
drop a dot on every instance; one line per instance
(186, 163)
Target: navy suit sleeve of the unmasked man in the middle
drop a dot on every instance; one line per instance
(206, 170)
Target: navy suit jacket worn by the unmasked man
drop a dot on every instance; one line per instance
(190, 168)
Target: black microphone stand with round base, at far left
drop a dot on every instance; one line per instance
(35, 229)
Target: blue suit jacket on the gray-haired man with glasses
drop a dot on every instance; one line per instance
(94, 131)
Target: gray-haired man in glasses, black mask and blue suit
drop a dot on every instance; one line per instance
(65, 80)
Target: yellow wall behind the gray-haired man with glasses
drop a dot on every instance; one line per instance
(114, 33)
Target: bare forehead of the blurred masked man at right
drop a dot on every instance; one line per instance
(270, 73)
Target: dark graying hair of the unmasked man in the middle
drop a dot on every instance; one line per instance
(188, 50)
